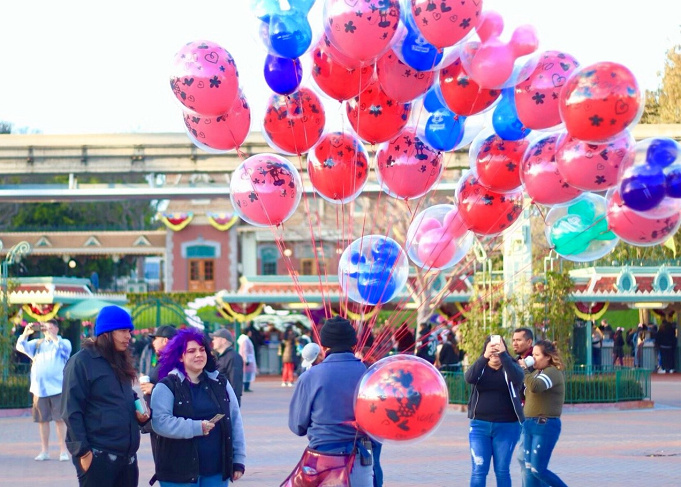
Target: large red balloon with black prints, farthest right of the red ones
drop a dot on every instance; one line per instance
(600, 101)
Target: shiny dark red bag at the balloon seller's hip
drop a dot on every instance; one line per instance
(321, 469)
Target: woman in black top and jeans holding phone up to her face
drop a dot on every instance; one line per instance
(495, 411)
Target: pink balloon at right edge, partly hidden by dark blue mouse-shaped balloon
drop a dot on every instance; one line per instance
(636, 229)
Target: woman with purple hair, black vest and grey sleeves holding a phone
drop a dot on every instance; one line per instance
(196, 415)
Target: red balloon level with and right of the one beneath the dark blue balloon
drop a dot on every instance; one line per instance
(375, 116)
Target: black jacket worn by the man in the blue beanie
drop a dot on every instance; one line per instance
(98, 409)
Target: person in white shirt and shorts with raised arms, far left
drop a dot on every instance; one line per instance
(48, 356)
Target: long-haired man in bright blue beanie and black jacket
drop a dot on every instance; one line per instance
(102, 424)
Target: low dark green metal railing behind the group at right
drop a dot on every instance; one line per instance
(582, 385)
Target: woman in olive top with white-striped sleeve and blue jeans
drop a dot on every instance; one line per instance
(544, 398)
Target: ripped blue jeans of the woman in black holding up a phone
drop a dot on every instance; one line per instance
(492, 441)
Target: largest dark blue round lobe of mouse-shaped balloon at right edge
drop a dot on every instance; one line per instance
(643, 188)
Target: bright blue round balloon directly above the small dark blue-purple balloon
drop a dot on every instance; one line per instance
(290, 34)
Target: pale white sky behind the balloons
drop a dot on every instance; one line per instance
(91, 67)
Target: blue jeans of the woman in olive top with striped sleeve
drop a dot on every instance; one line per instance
(541, 436)
